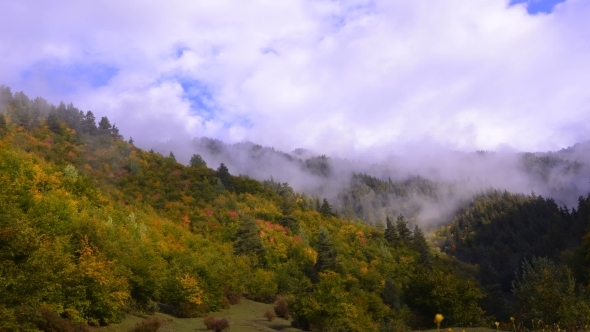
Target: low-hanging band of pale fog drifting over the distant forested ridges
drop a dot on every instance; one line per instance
(435, 181)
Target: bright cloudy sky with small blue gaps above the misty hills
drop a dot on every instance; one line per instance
(334, 76)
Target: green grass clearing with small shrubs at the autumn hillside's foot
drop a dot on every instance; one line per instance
(246, 316)
